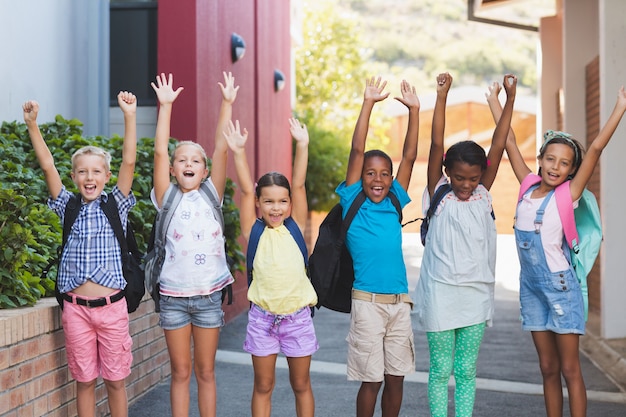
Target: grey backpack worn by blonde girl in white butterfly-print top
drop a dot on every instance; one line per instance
(156, 244)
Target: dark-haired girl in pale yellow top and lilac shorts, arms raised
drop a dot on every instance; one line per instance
(281, 294)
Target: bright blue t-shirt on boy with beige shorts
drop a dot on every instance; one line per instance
(375, 241)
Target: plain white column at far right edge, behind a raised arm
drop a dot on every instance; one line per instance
(612, 31)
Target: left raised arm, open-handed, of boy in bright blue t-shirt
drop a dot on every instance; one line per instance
(373, 93)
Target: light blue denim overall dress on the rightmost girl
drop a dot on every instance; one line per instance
(549, 300)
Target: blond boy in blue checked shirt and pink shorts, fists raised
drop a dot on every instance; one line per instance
(90, 277)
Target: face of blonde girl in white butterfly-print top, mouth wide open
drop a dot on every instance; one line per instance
(188, 167)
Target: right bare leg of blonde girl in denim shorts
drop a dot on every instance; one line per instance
(204, 348)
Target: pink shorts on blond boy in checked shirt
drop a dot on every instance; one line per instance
(97, 341)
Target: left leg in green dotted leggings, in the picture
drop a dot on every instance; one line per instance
(441, 348)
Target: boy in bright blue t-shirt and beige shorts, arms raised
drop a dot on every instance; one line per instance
(380, 341)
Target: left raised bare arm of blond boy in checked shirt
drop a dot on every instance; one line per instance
(44, 156)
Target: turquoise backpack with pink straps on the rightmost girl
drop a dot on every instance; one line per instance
(582, 229)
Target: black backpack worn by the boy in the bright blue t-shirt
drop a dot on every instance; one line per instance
(330, 265)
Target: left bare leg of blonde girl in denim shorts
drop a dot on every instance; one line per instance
(179, 348)
